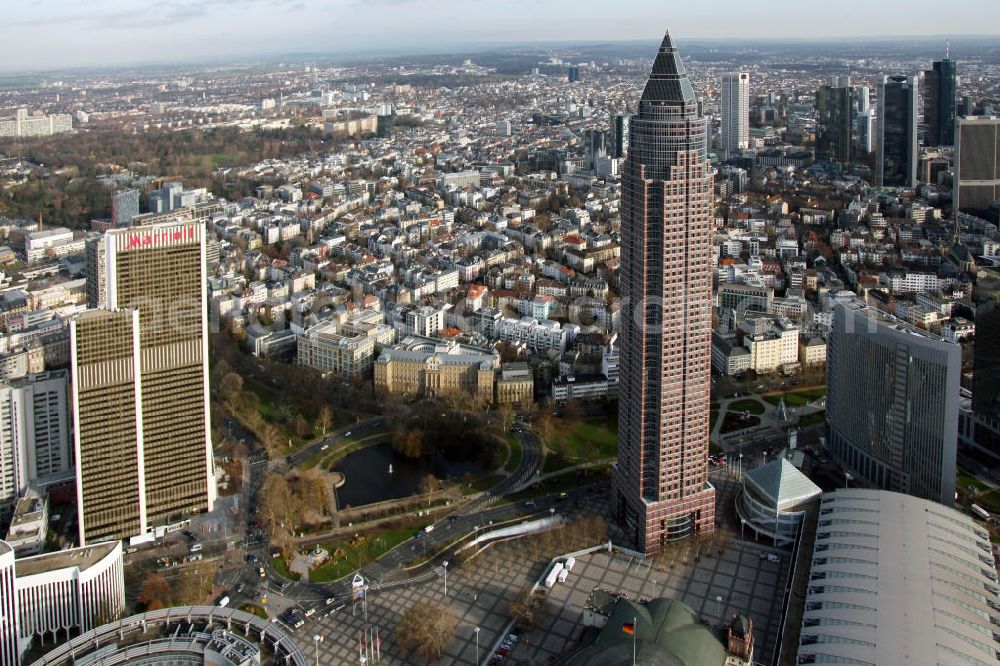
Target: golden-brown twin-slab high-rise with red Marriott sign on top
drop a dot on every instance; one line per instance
(146, 355)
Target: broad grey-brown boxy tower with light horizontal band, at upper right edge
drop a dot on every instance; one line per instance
(977, 164)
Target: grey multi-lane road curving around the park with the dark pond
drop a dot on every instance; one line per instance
(484, 511)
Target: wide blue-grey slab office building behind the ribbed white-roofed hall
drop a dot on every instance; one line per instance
(892, 403)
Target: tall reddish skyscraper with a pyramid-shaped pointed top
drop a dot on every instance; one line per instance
(660, 488)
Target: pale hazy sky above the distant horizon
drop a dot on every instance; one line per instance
(56, 33)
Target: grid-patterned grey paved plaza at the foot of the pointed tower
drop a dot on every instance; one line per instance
(479, 593)
